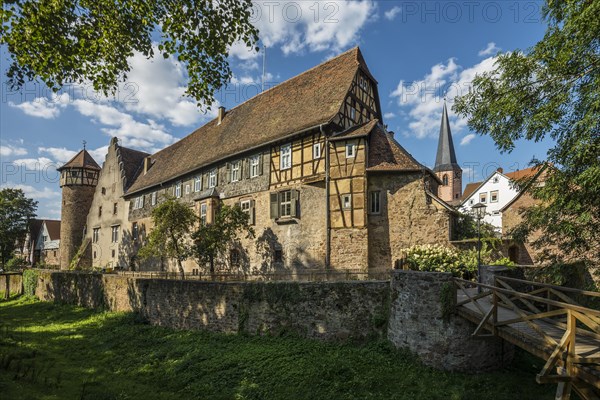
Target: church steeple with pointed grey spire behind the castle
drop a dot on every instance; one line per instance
(446, 167)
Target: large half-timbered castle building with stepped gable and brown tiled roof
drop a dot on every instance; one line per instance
(325, 185)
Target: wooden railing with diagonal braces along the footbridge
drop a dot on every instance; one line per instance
(544, 302)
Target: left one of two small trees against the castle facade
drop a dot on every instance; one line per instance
(170, 236)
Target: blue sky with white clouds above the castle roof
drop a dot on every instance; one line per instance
(417, 50)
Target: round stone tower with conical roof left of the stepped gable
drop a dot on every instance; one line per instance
(78, 180)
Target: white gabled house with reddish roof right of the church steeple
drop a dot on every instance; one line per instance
(495, 192)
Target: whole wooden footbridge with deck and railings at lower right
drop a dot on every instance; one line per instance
(558, 324)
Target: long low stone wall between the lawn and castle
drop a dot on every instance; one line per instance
(327, 311)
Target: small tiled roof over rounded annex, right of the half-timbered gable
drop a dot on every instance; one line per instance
(386, 154)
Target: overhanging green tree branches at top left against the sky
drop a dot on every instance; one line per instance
(79, 41)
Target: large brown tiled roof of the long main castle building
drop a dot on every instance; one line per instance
(307, 100)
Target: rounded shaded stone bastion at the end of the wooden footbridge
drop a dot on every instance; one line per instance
(417, 322)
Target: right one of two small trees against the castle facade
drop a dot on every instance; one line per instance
(212, 240)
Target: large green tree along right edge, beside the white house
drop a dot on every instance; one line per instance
(552, 90)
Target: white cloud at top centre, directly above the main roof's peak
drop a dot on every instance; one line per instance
(317, 26)
